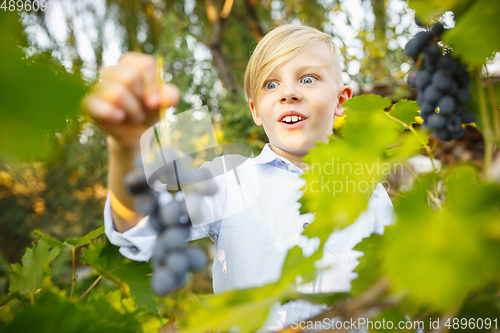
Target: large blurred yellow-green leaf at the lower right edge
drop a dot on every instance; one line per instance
(434, 253)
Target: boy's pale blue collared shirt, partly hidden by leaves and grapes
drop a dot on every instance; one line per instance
(253, 220)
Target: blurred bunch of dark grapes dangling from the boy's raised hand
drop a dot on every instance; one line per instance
(169, 216)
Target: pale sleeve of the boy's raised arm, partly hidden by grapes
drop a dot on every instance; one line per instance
(138, 242)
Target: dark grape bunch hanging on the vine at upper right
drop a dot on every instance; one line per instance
(443, 84)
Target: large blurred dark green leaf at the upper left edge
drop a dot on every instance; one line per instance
(28, 110)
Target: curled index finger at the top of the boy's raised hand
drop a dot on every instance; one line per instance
(146, 66)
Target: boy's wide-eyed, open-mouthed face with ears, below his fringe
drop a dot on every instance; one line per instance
(301, 88)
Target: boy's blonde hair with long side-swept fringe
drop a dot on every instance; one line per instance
(282, 44)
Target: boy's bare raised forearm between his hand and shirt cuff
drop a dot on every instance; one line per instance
(121, 161)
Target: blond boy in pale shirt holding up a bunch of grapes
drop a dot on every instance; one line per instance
(294, 87)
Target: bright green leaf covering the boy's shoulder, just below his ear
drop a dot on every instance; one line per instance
(344, 173)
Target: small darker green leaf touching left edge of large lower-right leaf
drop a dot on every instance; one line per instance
(369, 268)
